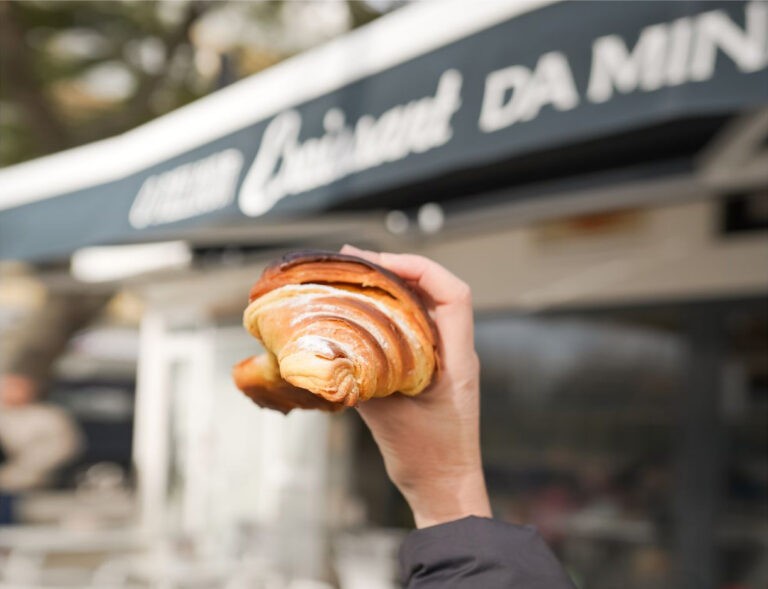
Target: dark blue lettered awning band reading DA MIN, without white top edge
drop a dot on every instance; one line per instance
(561, 74)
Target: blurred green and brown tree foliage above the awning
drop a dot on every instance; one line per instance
(77, 71)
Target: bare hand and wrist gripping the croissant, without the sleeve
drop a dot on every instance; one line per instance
(431, 442)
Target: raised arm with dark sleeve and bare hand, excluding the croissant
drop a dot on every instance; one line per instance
(431, 449)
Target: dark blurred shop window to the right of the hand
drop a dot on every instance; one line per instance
(609, 432)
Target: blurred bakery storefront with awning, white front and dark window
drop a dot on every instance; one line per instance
(597, 172)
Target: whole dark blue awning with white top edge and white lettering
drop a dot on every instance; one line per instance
(429, 90)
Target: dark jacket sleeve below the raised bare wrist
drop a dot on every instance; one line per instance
(478, 552)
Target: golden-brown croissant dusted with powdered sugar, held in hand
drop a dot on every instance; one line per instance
(337, 330)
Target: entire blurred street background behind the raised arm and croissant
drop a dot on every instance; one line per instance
(598, 173)
